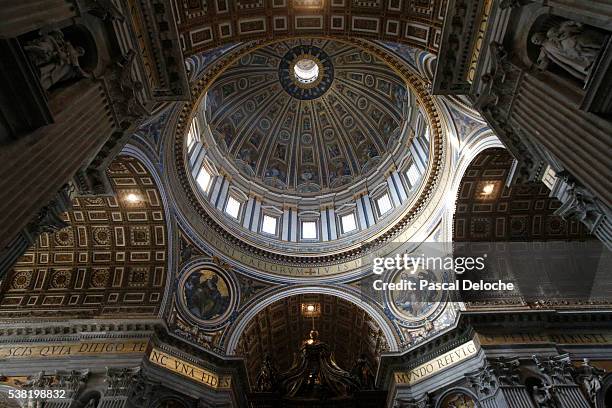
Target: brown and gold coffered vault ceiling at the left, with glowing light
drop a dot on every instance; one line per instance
(110, 261)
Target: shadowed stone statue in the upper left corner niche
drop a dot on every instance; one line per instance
(56, 59)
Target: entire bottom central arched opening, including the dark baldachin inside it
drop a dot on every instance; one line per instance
(312, 350)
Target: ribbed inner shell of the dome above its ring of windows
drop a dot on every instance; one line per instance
(307, 116)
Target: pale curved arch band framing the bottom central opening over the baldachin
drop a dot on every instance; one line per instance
(352, 296)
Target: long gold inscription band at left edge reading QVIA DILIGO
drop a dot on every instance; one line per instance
(74, 349)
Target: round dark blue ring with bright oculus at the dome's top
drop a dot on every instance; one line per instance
(306, 72)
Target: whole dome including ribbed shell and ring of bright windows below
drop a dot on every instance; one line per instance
(310, 146)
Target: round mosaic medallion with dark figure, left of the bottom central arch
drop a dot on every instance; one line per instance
(207, 294)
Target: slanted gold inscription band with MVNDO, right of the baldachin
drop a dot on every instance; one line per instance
(446, 360)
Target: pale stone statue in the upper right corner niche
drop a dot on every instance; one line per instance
(570, 45)
